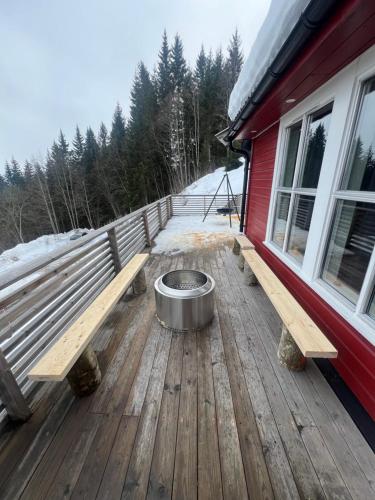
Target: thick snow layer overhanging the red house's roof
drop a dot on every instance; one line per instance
(279, 23)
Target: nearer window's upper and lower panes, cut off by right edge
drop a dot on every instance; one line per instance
(352, 233)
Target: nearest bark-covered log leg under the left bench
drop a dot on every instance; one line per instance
(85, 376)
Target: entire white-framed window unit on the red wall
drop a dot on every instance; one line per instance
(322, 210)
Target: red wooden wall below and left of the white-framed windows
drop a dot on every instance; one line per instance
(356, 359)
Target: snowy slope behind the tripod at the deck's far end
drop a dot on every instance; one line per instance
(210, 182)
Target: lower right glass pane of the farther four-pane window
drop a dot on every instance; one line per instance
(301, 219)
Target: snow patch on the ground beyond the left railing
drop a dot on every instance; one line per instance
(24, 252)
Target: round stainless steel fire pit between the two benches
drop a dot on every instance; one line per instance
(184, 299)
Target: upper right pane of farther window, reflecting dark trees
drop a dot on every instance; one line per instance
(316, 139)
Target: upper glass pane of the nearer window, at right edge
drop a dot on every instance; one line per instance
(360, 168)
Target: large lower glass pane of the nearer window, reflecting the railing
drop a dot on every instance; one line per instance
(350, 246)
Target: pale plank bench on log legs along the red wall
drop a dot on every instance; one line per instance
(300, 337)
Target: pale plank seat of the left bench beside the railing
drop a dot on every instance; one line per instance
(60, 358)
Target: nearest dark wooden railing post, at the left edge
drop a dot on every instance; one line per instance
(10, 393)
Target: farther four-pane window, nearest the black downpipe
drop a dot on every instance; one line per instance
(305, 145)
